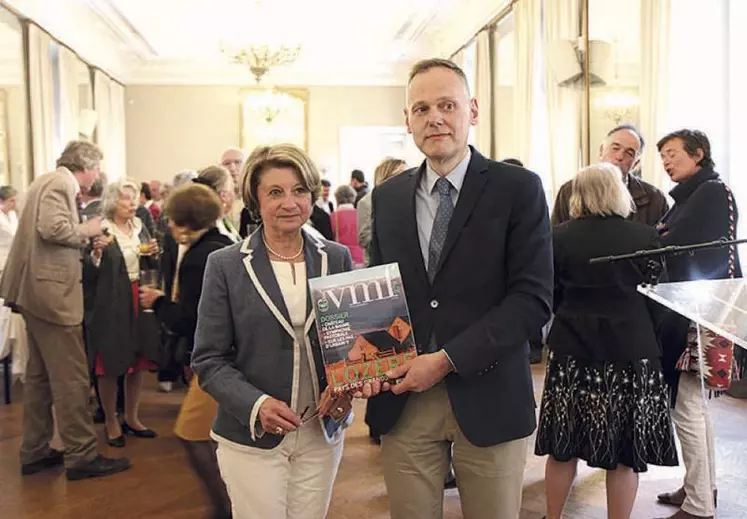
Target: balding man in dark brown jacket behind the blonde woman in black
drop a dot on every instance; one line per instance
(623, 148)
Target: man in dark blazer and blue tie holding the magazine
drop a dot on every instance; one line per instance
(473, 242)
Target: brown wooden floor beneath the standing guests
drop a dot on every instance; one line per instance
(160, 484)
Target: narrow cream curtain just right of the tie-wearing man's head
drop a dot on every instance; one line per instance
(483, 94)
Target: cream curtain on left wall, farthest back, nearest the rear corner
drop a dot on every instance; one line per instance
(109, 103)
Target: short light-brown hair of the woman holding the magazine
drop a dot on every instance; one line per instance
(277, 156)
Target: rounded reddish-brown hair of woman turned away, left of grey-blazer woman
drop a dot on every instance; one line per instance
(193, 205)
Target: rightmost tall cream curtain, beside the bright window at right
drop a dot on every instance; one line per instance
(655, 54)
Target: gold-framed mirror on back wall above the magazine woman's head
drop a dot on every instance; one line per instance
(273, 116)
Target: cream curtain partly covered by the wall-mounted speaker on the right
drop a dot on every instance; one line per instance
(561, 23)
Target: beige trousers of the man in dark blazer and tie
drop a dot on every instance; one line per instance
(415, 457)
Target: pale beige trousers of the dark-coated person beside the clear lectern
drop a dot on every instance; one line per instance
(692, 421)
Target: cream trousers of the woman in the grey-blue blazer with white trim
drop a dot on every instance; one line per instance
(292, 481)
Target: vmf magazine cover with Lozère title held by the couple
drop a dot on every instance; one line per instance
(363, 324)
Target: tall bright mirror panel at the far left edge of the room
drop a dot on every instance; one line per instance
(14, 152)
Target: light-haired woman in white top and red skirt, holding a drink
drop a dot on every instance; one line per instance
(120, 338)
